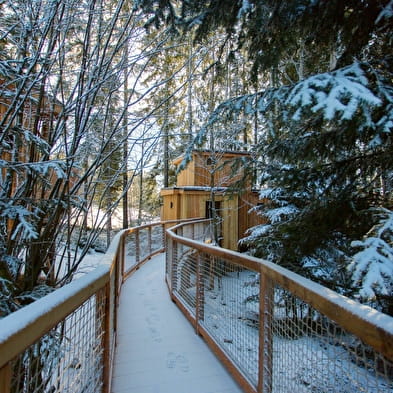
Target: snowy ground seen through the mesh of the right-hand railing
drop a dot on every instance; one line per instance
(302, 361)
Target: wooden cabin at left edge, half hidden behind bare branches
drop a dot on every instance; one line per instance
(27, 120)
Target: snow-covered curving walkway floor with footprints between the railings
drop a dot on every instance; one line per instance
(157, 348)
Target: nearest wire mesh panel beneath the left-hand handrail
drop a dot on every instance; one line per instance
(68, 359)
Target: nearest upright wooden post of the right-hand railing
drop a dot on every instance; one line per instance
(265, 381)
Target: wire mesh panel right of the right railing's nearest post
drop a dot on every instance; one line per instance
(311, 353)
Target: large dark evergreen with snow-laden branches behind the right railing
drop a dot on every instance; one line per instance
(324, 147)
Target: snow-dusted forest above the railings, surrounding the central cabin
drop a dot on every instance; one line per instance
(97, 98)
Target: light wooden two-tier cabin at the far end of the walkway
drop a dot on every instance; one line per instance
(203, 185)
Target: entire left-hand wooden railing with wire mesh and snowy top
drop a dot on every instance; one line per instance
(65, 342)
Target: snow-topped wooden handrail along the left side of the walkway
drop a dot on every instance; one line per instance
(27, 325)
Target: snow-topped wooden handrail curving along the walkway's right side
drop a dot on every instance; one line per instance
(371, 326)
